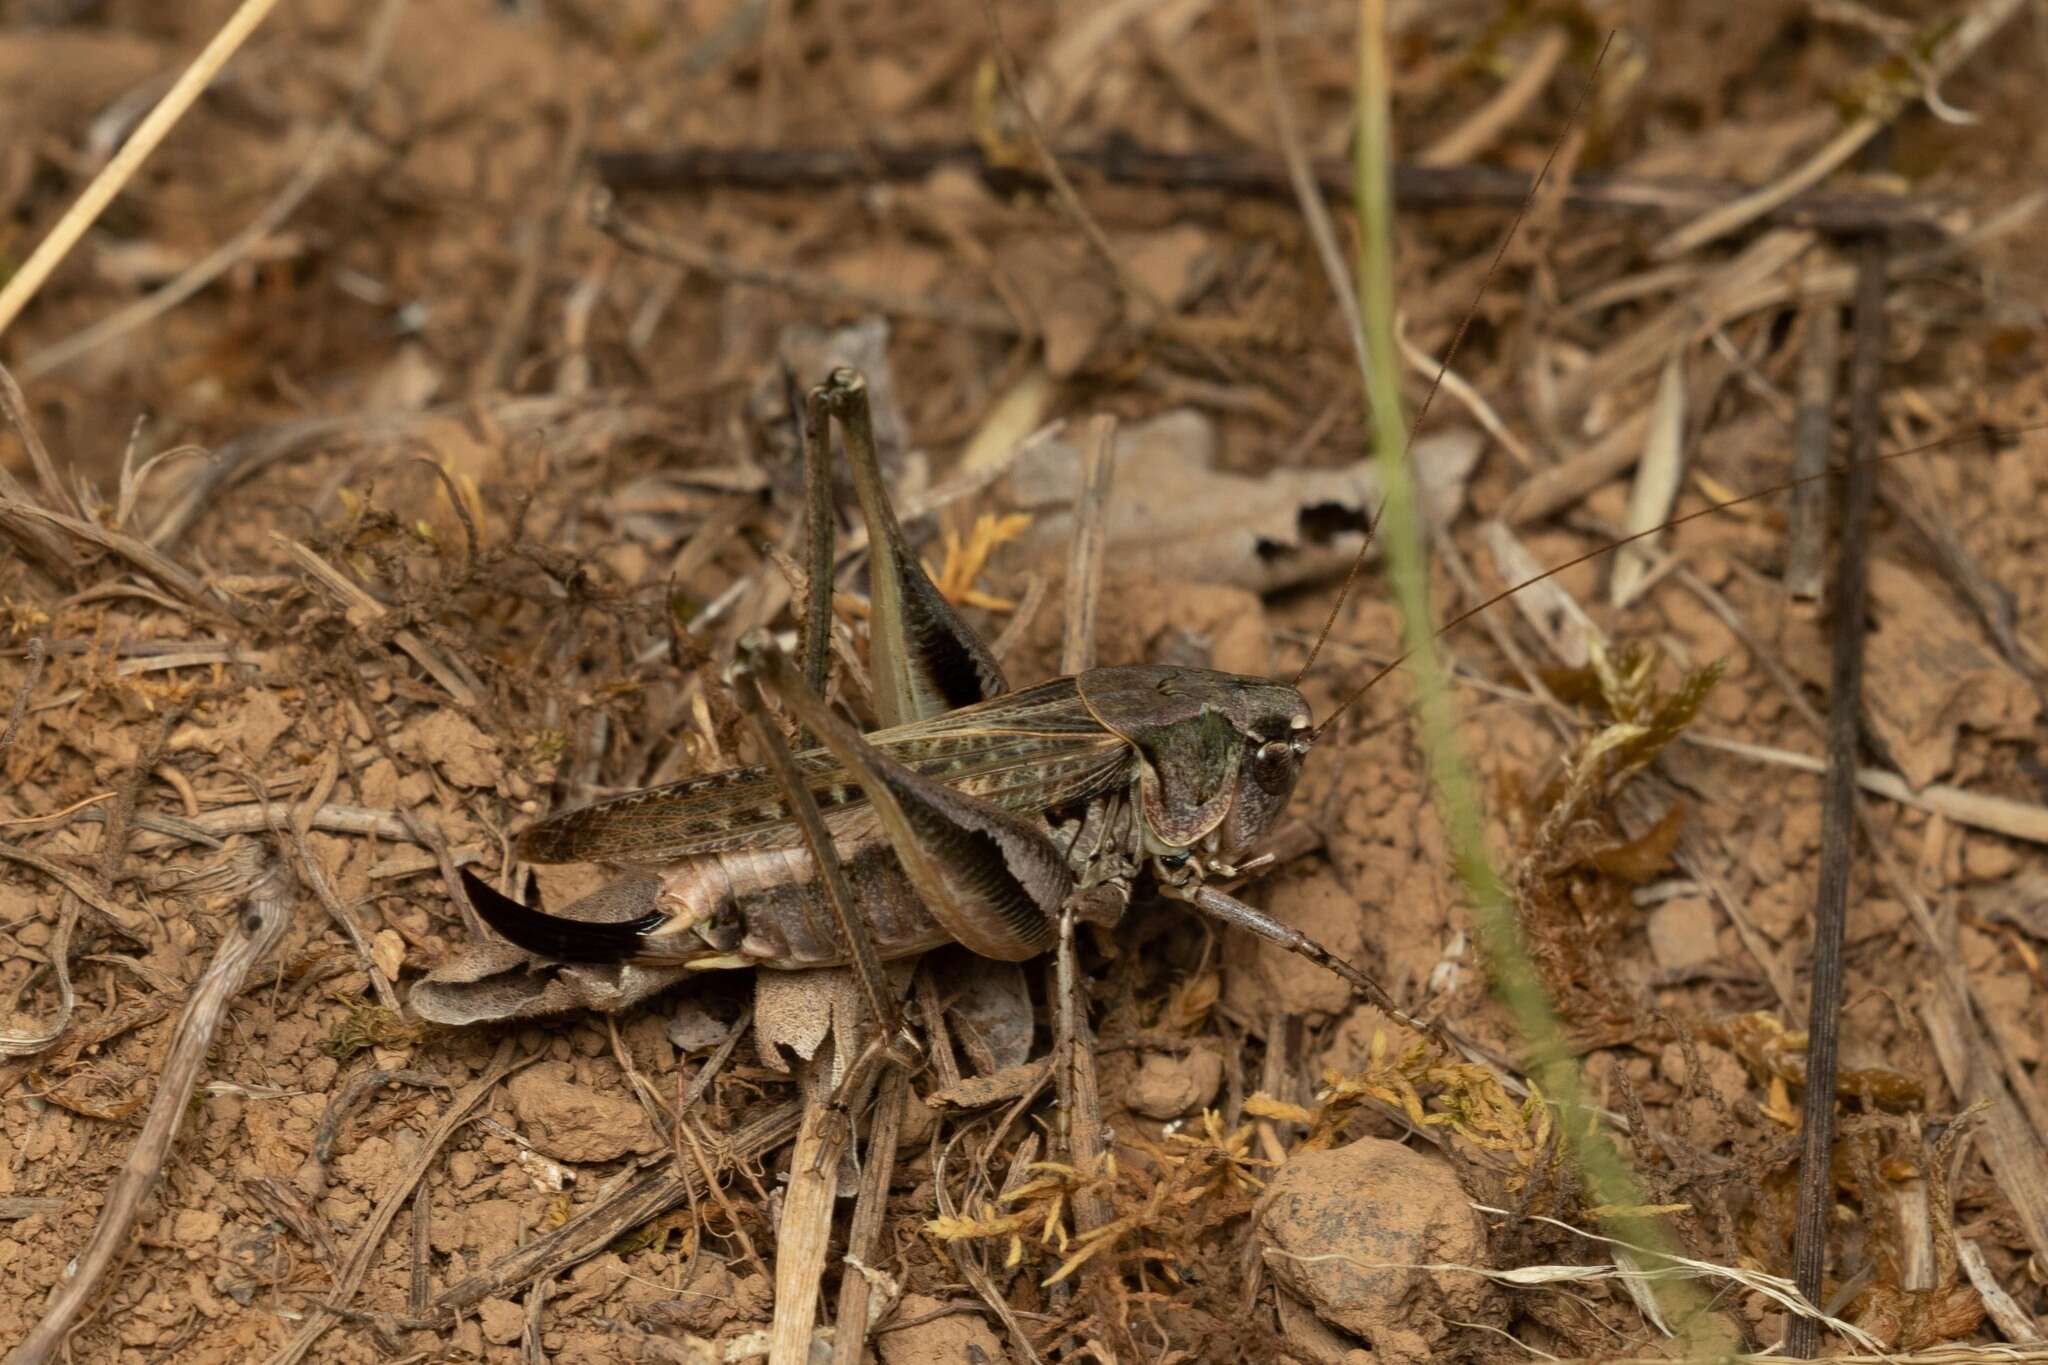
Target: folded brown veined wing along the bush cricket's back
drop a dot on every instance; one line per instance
(1027, 752)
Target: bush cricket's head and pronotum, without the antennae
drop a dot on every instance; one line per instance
(1220, 754)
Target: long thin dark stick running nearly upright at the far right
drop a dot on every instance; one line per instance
(1838, 811)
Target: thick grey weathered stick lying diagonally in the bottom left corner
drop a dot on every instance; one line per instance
(255, 932)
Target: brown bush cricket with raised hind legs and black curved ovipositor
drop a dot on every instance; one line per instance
(974, 816)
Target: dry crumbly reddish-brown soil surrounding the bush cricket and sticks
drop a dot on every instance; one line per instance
(474, 459)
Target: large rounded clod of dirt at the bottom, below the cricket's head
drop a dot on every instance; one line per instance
(1345, 1231)
